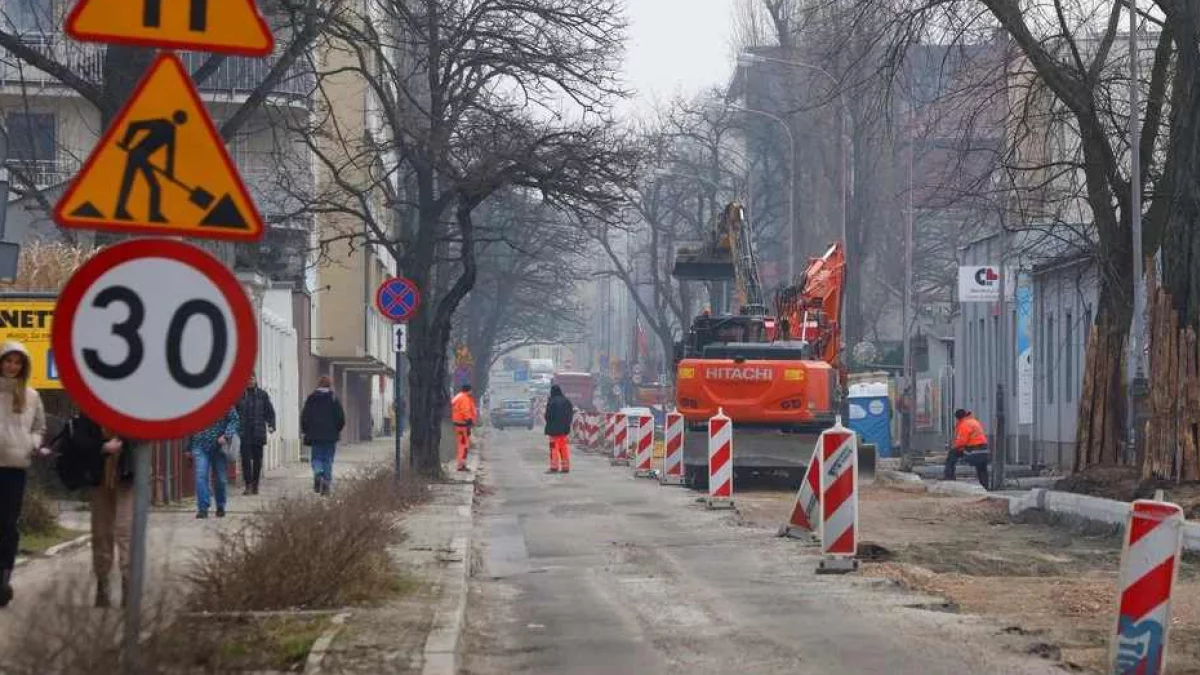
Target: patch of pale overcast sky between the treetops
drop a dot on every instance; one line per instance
(676, 46)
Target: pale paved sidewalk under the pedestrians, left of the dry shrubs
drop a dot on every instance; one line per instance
(173, 539)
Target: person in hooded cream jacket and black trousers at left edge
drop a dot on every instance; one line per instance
(22, 428)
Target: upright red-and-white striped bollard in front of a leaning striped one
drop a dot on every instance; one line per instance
(838, 449)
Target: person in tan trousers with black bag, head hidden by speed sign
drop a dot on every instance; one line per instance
(112, 500)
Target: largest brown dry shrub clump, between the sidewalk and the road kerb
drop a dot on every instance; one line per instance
(308, 554)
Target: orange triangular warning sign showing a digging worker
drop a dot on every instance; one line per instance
(161, 169)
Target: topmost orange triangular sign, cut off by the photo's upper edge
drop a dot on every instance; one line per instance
(233, 27)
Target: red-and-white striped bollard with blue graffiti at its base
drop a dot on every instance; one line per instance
(1150, 564)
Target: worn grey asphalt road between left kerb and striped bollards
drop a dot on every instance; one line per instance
(602, 574)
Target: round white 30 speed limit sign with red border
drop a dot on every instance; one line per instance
(154, 339)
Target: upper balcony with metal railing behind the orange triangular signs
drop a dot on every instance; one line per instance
(237, 77)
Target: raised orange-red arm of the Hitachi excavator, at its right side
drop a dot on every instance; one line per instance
(813, 307)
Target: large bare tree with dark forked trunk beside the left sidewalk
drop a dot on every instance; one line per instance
(469, 98)
